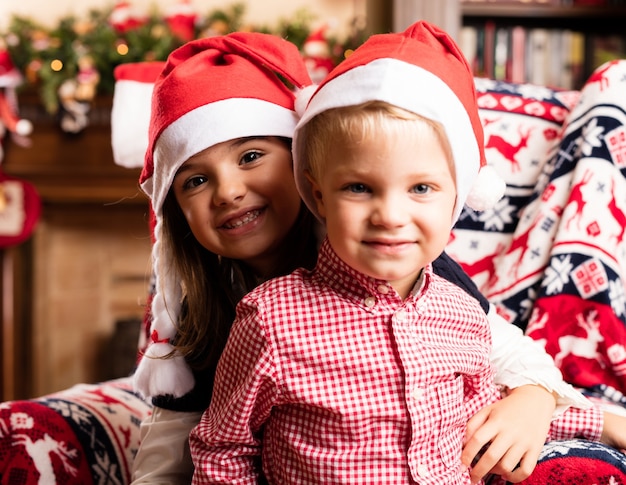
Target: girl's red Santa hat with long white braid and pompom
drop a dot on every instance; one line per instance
(211, 90)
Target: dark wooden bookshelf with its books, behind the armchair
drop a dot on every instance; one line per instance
(549, 43)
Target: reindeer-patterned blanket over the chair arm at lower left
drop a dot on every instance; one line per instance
(84, 435)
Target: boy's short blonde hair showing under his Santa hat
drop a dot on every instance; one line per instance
(349, 125)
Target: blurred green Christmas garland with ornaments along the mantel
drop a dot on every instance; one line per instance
(76, 58)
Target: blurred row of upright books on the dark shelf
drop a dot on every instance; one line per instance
(558, 58)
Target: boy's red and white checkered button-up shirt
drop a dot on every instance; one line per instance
(330, 377)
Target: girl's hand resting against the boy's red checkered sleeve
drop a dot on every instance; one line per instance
(512, 432)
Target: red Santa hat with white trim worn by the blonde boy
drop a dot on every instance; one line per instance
(421, 70)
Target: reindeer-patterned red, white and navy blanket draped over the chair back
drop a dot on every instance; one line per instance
(552, 254)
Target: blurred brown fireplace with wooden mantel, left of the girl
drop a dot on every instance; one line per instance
(85, 269)
